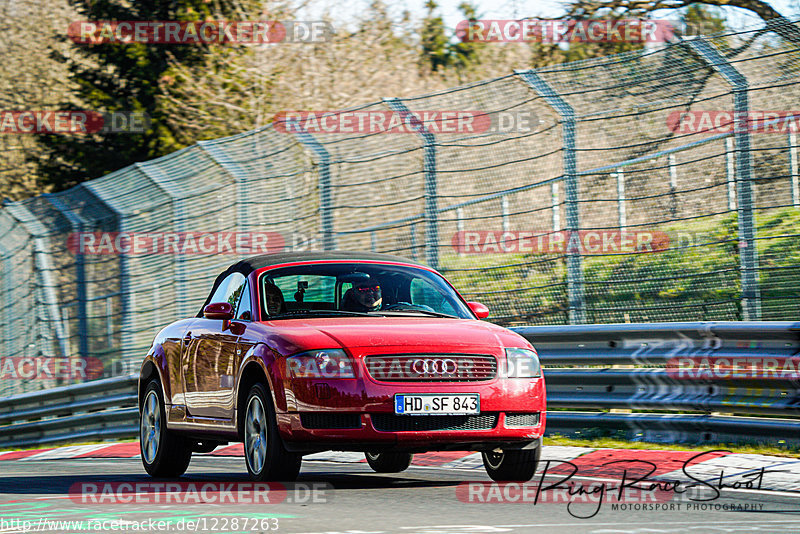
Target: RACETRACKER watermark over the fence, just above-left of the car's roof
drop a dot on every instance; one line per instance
(179, 243)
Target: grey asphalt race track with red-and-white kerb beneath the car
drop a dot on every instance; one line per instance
(337, 492)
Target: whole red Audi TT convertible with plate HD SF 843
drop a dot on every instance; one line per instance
(297, 353)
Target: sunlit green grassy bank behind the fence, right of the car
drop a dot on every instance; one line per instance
(695, 278)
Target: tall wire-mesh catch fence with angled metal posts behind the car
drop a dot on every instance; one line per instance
(647, 186)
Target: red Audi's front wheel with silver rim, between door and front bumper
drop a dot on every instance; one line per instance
(261, 438)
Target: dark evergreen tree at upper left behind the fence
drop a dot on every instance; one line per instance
(120, 77)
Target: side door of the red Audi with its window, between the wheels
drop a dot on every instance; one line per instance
(211, 358)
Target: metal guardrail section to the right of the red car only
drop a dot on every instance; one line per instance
(620, 368)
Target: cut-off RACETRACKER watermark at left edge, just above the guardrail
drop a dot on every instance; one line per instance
(41, 368)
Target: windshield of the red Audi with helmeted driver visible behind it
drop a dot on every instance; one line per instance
(357, 289)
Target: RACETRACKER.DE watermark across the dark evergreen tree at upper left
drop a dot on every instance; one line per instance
(199, 32)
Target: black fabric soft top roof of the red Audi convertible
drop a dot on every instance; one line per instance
(253, 263)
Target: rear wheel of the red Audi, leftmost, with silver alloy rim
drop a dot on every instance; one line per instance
(164, 453)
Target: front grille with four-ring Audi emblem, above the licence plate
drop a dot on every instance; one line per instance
(431, 367)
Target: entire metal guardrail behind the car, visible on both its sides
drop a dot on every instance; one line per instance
(619, 371)
